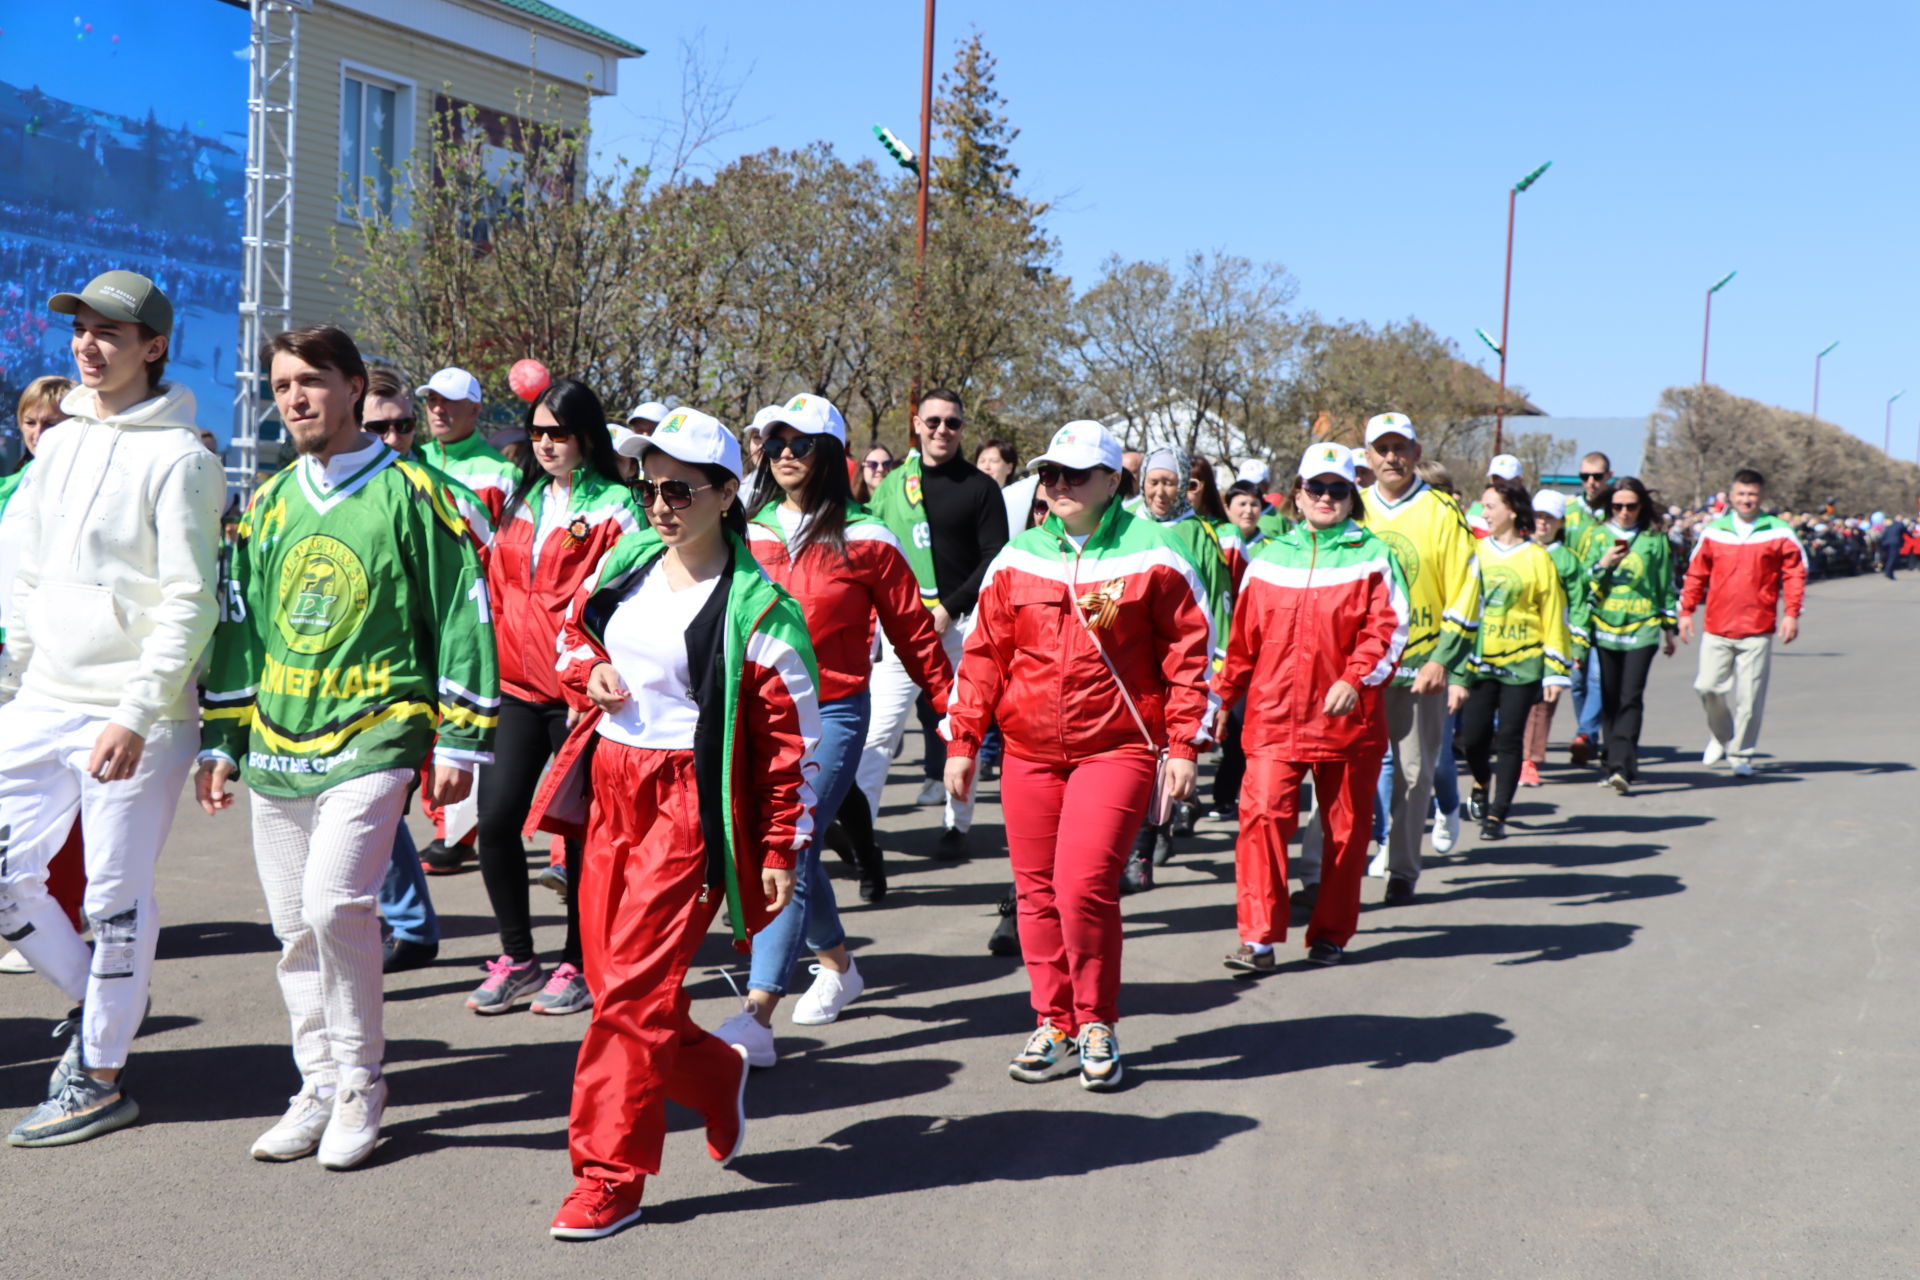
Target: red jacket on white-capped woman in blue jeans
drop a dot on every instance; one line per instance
(844, 592)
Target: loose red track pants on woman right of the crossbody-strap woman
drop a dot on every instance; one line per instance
(1270, 815)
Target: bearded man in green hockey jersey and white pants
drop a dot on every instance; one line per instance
(354, 627)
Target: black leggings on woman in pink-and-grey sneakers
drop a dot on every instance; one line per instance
(529, 736)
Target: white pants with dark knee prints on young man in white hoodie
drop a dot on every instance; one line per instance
(45, 747)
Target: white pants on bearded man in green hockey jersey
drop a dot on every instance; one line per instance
(322, 861)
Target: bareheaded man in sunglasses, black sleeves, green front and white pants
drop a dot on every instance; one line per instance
(949, 521)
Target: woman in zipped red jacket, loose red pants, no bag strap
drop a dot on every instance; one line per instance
(1318, 632)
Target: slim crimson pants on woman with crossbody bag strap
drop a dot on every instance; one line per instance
(1068, 834)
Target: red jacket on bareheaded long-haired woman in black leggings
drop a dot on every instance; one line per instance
(531, 600)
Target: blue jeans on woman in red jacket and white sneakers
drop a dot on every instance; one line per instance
(811, 920)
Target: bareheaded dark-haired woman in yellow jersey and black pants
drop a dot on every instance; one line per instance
(1522, 648)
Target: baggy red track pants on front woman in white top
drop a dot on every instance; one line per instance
(642, 918)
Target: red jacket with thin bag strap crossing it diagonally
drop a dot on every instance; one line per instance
(1034, 665)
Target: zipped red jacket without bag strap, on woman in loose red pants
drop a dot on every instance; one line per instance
(1316, 609)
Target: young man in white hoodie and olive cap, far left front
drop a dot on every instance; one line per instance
(118, 533)
